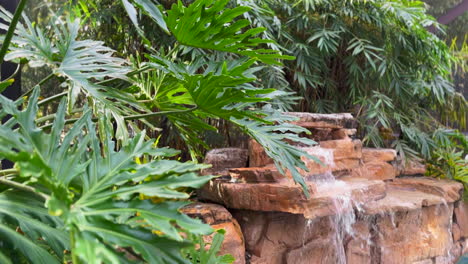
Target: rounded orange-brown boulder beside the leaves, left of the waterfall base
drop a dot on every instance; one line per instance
(219, 218)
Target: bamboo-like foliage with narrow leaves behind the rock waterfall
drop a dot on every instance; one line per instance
(375, 59)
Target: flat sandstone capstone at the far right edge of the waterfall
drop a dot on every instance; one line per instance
(447, 189)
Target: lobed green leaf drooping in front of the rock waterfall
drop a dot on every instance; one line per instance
(223, 91)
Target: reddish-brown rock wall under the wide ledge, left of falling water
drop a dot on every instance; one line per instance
(289, 238)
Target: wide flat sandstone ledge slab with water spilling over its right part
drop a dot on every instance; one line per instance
(290, 198)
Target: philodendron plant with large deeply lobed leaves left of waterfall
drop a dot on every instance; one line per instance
(82, 175)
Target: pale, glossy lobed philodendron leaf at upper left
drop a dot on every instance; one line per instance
(82, 63)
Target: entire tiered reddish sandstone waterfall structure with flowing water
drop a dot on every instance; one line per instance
(363, 208)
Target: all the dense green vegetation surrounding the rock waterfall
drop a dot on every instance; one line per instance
(109, 82)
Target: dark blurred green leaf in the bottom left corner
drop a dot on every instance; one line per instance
(39, 230)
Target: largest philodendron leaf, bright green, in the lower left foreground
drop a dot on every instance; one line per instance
(96, 189)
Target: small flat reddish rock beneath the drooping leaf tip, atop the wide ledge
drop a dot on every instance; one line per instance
(257, 175)
